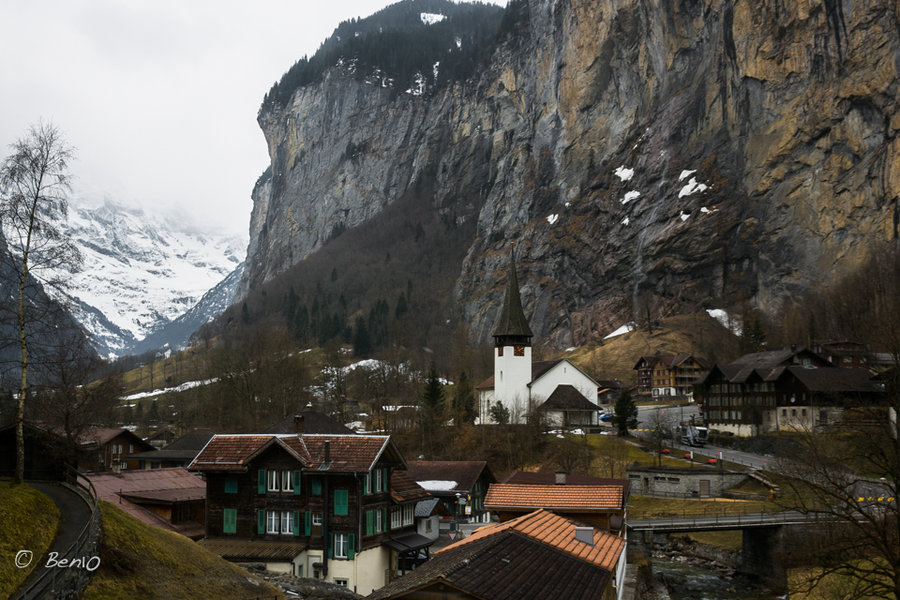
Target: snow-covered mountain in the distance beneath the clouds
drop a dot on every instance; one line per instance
(142, 272)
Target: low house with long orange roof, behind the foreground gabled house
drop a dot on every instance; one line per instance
(599, 503)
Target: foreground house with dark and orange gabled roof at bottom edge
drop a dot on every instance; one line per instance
(537, 555)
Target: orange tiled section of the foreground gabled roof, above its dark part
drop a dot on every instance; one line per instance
(555, 531)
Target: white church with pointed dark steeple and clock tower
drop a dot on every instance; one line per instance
(557, 391)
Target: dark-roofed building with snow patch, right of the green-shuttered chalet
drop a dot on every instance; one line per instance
(459, 484)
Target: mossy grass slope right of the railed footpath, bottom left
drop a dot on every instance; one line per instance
(140, 561)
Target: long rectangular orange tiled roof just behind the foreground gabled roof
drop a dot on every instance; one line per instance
(583, 498)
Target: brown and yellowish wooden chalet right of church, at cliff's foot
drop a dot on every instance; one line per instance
(670, 376)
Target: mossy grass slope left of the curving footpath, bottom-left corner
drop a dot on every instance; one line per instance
(18, 533)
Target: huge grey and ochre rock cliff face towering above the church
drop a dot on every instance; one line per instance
(645, 156)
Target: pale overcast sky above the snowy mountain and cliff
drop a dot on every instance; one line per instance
(159, 97)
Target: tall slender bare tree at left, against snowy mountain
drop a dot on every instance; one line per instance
(34, 186)
